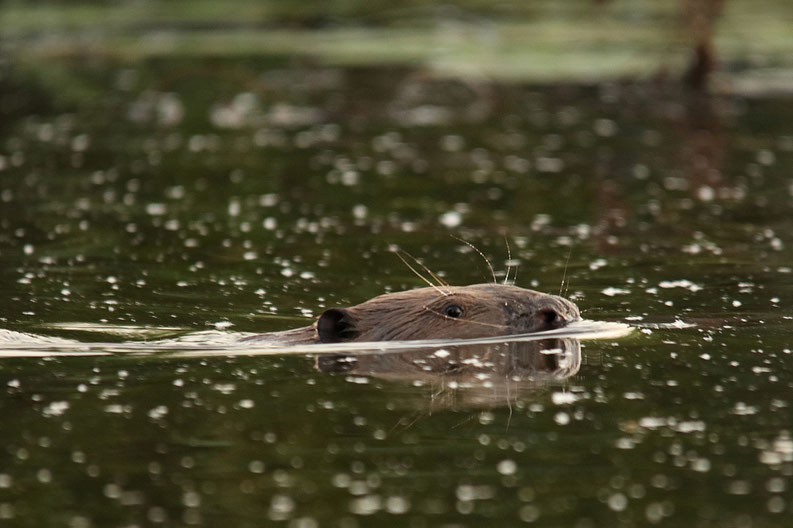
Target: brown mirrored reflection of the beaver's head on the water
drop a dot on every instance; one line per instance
(468, 376)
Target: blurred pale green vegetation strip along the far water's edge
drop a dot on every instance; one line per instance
(537, 41)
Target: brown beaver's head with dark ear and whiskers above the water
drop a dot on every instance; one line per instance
(443, 312)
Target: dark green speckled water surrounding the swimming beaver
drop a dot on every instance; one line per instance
(252, 193)
